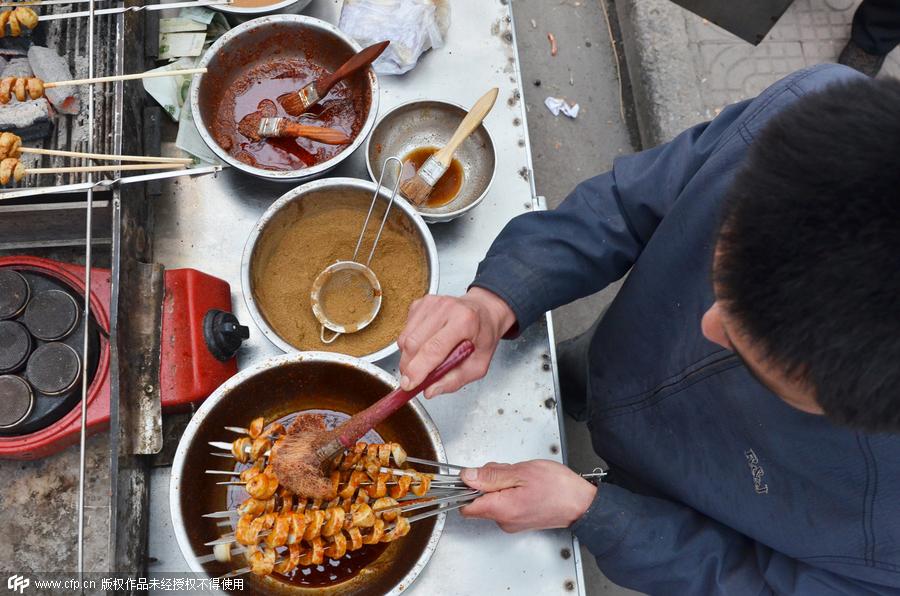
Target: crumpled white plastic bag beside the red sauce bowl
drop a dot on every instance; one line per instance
(412, 26)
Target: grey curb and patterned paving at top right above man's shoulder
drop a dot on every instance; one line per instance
(686, 69)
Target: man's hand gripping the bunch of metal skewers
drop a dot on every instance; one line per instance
(534, 495)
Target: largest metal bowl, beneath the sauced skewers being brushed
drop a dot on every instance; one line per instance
(274, 388)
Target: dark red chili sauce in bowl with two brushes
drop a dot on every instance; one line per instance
(341, 109)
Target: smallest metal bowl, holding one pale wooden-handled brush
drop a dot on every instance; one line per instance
(424, 123)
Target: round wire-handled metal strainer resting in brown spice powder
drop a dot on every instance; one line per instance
(346, 296)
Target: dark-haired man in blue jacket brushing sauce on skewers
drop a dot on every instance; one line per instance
(744, 385)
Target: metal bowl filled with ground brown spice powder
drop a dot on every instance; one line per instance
(316, 225)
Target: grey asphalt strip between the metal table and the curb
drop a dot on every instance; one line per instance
(567, 151)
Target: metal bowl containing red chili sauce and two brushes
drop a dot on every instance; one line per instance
(260, 40)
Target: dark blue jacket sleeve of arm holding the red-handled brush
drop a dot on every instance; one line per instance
(542, 260)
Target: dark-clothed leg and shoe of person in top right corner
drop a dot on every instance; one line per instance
(875, 32)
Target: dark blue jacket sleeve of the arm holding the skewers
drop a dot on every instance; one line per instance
(660, 547)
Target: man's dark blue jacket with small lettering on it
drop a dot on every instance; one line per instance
(742, 494)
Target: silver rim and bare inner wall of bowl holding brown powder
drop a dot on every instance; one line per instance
(271, 219)
